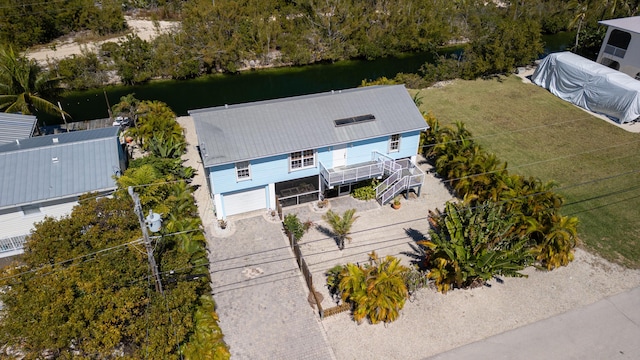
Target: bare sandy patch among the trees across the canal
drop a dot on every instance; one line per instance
(60, 49)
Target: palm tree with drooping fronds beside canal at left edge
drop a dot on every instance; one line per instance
(24, 86)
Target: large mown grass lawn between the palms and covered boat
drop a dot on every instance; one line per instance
(595, 164)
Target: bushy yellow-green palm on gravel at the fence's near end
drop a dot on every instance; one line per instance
(377, 291)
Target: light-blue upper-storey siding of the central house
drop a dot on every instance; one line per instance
(275, 169)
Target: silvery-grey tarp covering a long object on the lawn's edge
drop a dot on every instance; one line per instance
(590, 85)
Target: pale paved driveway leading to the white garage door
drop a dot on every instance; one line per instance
(261, 295)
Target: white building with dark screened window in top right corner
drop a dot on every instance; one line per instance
(620, 49)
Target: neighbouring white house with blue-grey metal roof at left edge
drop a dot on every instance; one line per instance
(45, 175)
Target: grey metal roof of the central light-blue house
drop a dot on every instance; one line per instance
(228, 134)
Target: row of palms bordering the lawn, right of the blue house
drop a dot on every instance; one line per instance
(479, 177)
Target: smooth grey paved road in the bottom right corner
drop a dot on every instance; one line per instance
(608, 329)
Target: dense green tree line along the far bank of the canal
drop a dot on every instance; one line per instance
(227, 35)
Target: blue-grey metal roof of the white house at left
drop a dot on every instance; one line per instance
(58, 166)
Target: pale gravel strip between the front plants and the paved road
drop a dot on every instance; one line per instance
(434, 323)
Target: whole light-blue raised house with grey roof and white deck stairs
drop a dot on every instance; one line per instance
(304, 148)
